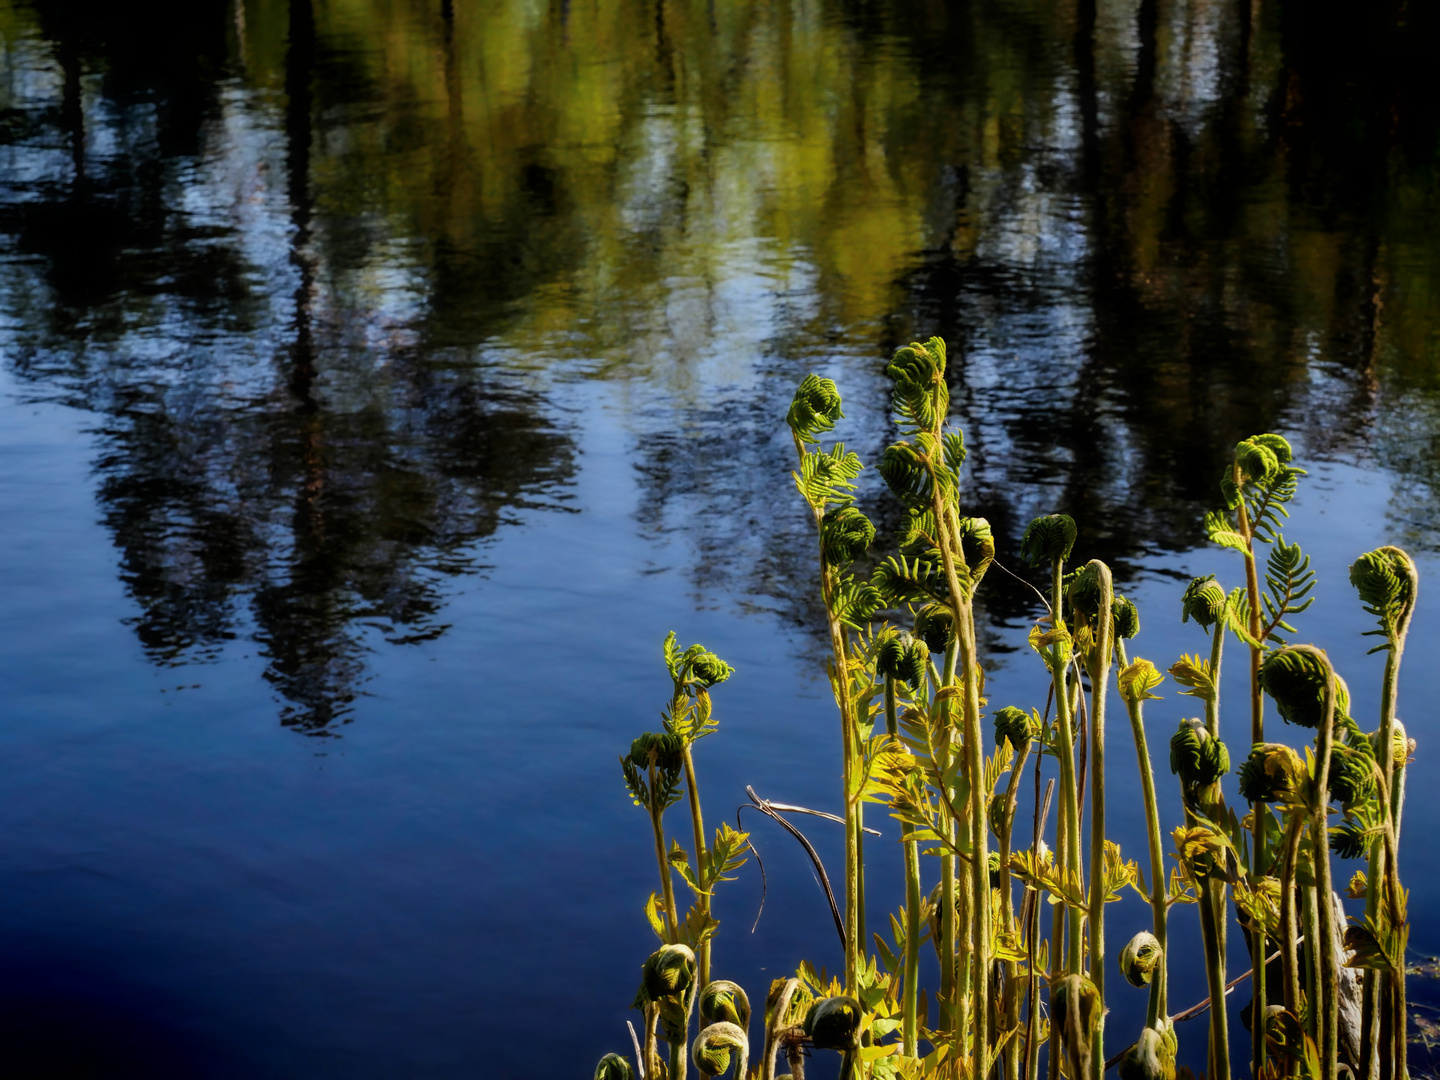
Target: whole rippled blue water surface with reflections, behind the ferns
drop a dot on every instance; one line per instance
(379, 382)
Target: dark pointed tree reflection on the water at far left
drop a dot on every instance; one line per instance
(284, 454)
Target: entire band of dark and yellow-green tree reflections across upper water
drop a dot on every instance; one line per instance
(322, 266)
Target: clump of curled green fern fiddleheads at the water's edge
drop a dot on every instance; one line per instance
(922, 742)
